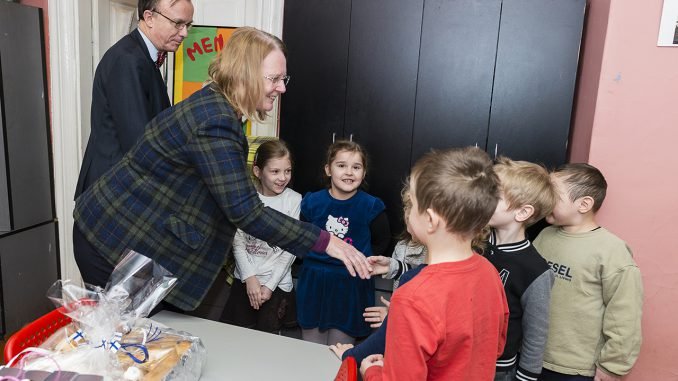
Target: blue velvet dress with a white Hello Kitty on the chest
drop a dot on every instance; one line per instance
(327, 295)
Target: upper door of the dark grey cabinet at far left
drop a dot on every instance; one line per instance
(27, 188)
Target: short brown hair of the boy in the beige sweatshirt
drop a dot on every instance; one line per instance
(583, 180)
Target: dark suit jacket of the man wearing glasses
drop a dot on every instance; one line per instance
(128, 92)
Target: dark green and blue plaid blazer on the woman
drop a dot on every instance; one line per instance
(180, 194)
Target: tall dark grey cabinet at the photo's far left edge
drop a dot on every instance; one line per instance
(29, 254)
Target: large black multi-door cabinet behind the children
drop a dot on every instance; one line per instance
(404, 76)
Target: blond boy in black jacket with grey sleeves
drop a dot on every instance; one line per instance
(527, 195)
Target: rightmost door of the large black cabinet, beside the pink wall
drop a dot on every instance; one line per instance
(537, 57)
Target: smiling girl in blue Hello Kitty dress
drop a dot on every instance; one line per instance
(330, 301)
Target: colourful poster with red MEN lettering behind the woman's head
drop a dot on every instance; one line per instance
(193, 58)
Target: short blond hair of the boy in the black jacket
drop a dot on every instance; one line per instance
(525, 183)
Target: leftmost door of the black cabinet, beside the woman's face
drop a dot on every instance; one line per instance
(312, 110)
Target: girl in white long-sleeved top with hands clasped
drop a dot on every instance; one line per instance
(261, 296)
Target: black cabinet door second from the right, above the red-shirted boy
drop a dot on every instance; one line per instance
(456, 69)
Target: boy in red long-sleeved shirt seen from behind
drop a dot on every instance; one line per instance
(449, 322)
